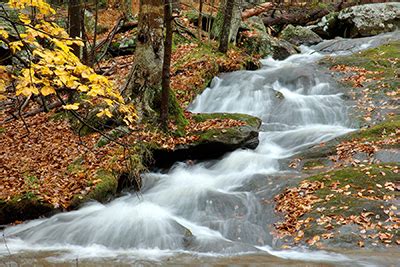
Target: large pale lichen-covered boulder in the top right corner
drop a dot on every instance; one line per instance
(369, 20)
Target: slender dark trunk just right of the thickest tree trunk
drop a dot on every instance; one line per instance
(166, 64)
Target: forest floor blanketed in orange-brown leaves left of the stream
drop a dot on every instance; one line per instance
(46, 162)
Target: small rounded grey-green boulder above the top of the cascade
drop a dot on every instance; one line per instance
(299, 35)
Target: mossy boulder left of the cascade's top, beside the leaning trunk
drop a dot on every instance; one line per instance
(256, 40)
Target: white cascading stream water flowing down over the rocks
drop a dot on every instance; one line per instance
(213, 212)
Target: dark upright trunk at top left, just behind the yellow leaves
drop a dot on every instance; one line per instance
(75, 21)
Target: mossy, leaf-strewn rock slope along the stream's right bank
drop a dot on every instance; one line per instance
(352, 196)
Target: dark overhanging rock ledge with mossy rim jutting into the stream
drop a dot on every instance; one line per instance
(212, 143)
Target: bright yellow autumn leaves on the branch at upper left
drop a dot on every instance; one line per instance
(53, 66)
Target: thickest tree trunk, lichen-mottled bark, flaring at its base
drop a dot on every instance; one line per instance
(143, 85)
